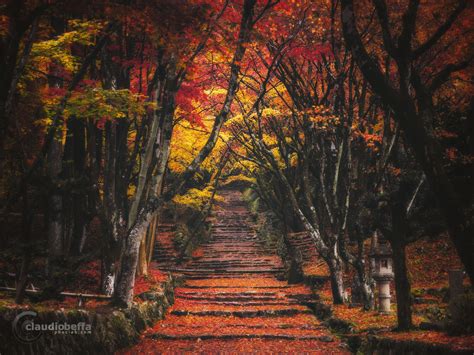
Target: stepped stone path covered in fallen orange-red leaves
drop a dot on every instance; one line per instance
(232, 300)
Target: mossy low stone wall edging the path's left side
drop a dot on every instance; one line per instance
(111, 329)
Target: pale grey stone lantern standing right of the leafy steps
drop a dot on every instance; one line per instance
(381, 254)
